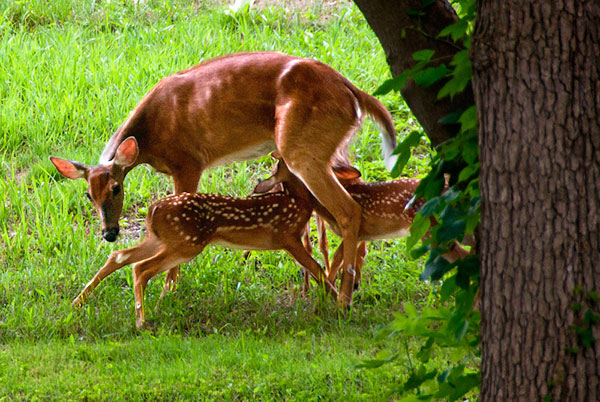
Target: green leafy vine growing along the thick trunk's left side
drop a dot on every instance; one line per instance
(451, 192)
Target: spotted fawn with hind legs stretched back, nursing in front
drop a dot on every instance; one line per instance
(181, 226)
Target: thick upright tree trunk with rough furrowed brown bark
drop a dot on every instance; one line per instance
(537, 84)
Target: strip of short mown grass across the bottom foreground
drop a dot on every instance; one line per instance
(295, 366)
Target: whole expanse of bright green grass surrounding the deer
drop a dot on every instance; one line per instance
(70, 72)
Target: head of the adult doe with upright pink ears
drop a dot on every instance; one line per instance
(105, 184)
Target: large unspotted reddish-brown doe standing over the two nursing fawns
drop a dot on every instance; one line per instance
(235, 108)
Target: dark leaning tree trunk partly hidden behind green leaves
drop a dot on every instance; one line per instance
(401, 35)
